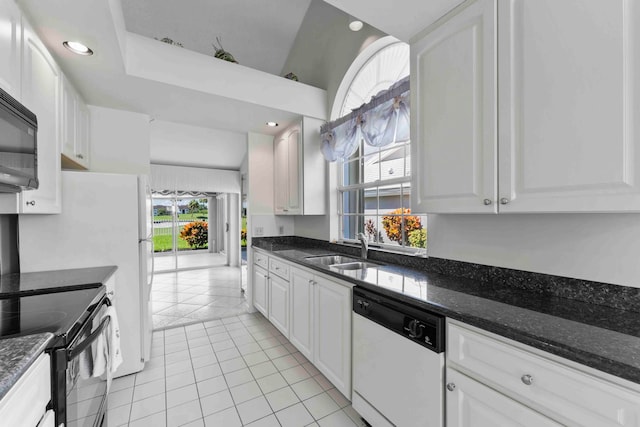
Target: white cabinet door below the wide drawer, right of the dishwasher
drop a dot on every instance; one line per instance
(472, 404)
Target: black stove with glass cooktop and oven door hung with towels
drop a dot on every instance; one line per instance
(60, 303)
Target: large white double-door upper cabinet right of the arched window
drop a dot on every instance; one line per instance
(563, 137)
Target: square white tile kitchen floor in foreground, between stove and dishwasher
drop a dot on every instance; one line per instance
(236, 371)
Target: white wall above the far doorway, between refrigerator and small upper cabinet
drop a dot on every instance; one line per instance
(184, 145)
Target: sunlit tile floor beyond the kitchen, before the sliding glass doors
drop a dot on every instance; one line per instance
(185, 297)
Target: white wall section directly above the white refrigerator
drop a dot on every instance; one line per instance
(119, 141)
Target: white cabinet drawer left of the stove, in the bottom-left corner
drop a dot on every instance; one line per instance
(27, 400)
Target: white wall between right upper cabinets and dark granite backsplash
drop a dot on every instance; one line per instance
(599, 247)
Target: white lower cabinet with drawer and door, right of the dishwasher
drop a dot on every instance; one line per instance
(494, 381)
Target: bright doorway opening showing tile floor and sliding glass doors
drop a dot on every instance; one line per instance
(198, 277)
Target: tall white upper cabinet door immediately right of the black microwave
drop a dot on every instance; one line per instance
(40, 92)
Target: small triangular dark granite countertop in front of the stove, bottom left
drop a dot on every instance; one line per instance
(17, 355)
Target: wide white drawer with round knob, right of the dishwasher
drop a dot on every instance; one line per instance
(568, 395)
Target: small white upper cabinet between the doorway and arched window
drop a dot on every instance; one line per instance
(299, 170)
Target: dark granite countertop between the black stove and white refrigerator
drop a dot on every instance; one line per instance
(57, 280)
